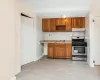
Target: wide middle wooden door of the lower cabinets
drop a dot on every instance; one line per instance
(59, 50)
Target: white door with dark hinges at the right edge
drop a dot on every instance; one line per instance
(97, 40)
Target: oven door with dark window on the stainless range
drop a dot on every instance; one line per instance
(78, 50)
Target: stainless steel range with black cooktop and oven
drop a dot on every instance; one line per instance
(79, 48)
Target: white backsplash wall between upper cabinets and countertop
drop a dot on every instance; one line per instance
(61, 35)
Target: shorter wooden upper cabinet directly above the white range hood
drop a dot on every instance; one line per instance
(78, 22)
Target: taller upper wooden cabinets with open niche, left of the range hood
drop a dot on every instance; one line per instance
(56, 25)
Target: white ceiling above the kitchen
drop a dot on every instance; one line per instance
(57, 8)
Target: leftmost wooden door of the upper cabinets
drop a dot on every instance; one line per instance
(45, 25)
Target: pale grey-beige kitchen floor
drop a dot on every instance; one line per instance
(58, 69)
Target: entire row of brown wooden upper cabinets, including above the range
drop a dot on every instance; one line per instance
(62, 24)
